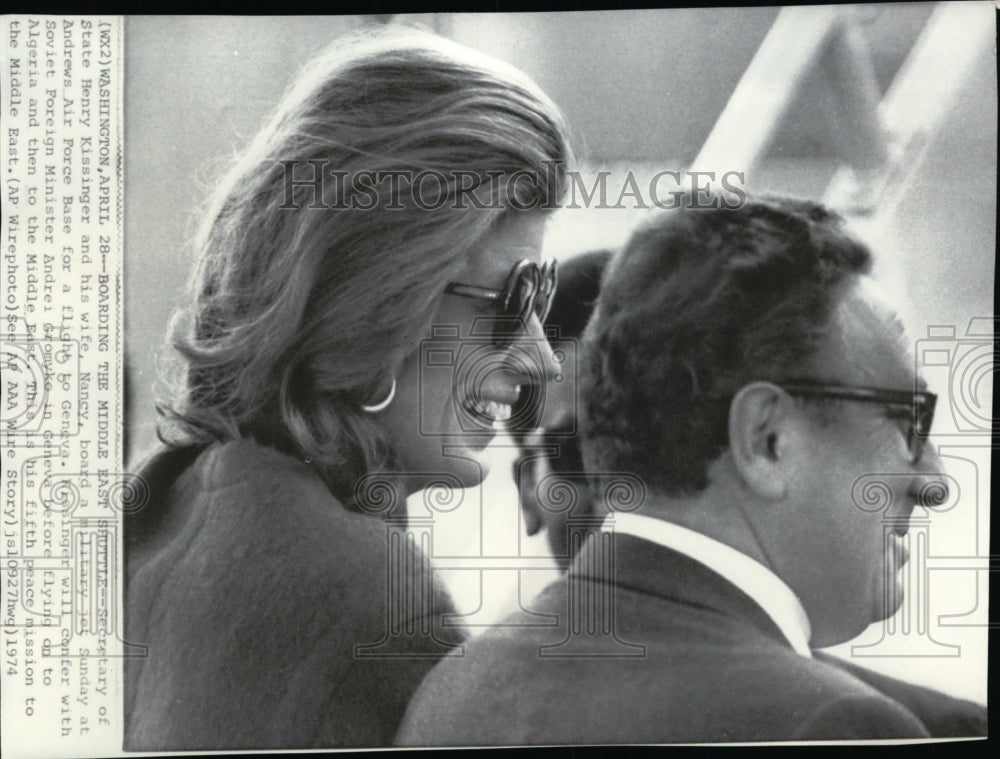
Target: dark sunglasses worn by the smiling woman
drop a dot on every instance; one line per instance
(528, 290)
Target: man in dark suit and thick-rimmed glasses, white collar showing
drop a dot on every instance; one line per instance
(743, 365)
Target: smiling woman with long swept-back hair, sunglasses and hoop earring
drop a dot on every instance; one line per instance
(366, 308)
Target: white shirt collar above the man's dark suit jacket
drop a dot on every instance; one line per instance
(753, 578)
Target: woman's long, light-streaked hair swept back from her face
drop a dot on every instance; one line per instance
(328, 244)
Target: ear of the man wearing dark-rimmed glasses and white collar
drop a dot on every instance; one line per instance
(759, 438)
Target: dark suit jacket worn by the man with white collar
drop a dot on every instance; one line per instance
(685, 657)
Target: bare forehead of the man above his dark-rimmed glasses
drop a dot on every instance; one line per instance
(868, 341)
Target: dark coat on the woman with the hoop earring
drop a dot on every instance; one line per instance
(255, 592)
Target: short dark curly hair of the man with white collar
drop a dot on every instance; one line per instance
(696, 305)
